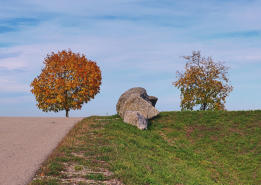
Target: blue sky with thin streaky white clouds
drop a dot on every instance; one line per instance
(136, 43)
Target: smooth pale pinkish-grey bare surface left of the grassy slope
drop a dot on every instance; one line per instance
(25, 142)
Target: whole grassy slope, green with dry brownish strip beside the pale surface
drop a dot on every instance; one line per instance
(178, 148)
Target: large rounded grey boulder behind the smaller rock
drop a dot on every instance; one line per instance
(137, 100)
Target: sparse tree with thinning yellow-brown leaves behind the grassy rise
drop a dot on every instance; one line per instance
(204, 83)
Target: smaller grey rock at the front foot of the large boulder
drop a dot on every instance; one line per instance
(136, 119)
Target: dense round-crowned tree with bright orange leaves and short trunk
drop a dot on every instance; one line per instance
(66, 82)
